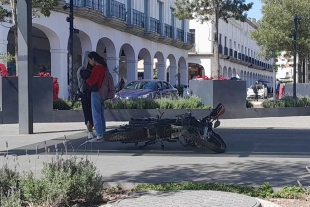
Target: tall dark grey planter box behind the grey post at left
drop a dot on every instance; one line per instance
(42, 99)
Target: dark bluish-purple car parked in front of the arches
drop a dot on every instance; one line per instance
(147, 89)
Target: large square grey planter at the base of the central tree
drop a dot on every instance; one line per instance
(232, 94)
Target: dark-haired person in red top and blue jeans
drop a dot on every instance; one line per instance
(95, 82)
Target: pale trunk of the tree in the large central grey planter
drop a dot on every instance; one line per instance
(216, 66)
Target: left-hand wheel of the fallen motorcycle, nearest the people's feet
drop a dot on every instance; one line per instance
(132, 134)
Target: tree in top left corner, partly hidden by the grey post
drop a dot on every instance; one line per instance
(8, 13)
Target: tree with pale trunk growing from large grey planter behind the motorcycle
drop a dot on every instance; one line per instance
(213, 10)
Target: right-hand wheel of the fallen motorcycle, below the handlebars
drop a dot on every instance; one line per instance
(214, 143)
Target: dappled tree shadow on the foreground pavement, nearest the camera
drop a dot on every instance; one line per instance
(237, 173)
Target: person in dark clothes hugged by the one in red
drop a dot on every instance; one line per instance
(84, 73)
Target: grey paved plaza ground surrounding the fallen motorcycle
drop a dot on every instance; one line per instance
(274, 150)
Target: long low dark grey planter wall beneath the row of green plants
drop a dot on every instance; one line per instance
(59, 116)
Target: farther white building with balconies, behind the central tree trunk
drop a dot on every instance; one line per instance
(238, 52)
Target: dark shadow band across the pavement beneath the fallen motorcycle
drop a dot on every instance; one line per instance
(240, 143)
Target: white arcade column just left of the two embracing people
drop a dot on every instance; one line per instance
(59, 69)
